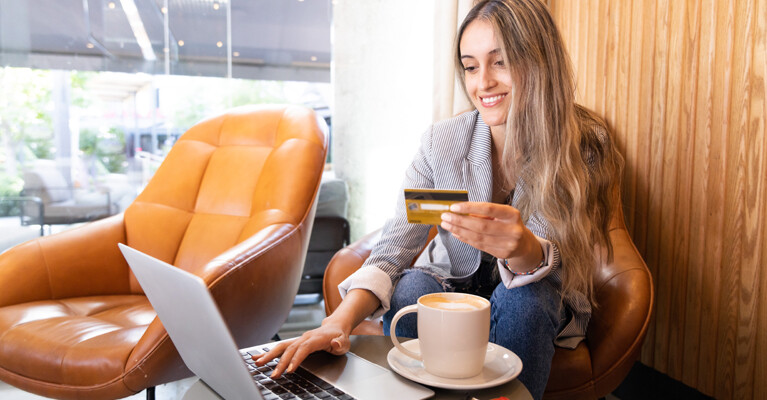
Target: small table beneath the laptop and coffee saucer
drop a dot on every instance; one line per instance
(375, 349)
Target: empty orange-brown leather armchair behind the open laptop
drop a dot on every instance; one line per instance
(232, 203)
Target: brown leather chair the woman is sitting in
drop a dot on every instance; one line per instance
(614, 336)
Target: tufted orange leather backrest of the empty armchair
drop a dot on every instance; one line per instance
(224, 180)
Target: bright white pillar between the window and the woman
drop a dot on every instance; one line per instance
(383, 81)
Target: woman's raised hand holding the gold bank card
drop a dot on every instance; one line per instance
(496, 229)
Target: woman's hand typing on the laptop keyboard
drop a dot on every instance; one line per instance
(329, 337)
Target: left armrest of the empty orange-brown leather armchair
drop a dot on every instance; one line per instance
(67, 264)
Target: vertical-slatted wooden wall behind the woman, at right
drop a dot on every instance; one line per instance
(682, 84)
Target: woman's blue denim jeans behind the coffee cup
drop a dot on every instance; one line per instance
(524, 320)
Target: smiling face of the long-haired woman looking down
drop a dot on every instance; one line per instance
(487, 77)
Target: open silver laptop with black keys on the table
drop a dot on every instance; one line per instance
(195, 325)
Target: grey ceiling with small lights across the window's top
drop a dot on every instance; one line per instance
(270, 39)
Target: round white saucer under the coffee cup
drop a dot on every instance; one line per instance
(501, 366)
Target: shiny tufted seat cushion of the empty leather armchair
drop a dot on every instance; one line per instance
(72, 331)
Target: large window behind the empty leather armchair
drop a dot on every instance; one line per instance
(91, 101)
